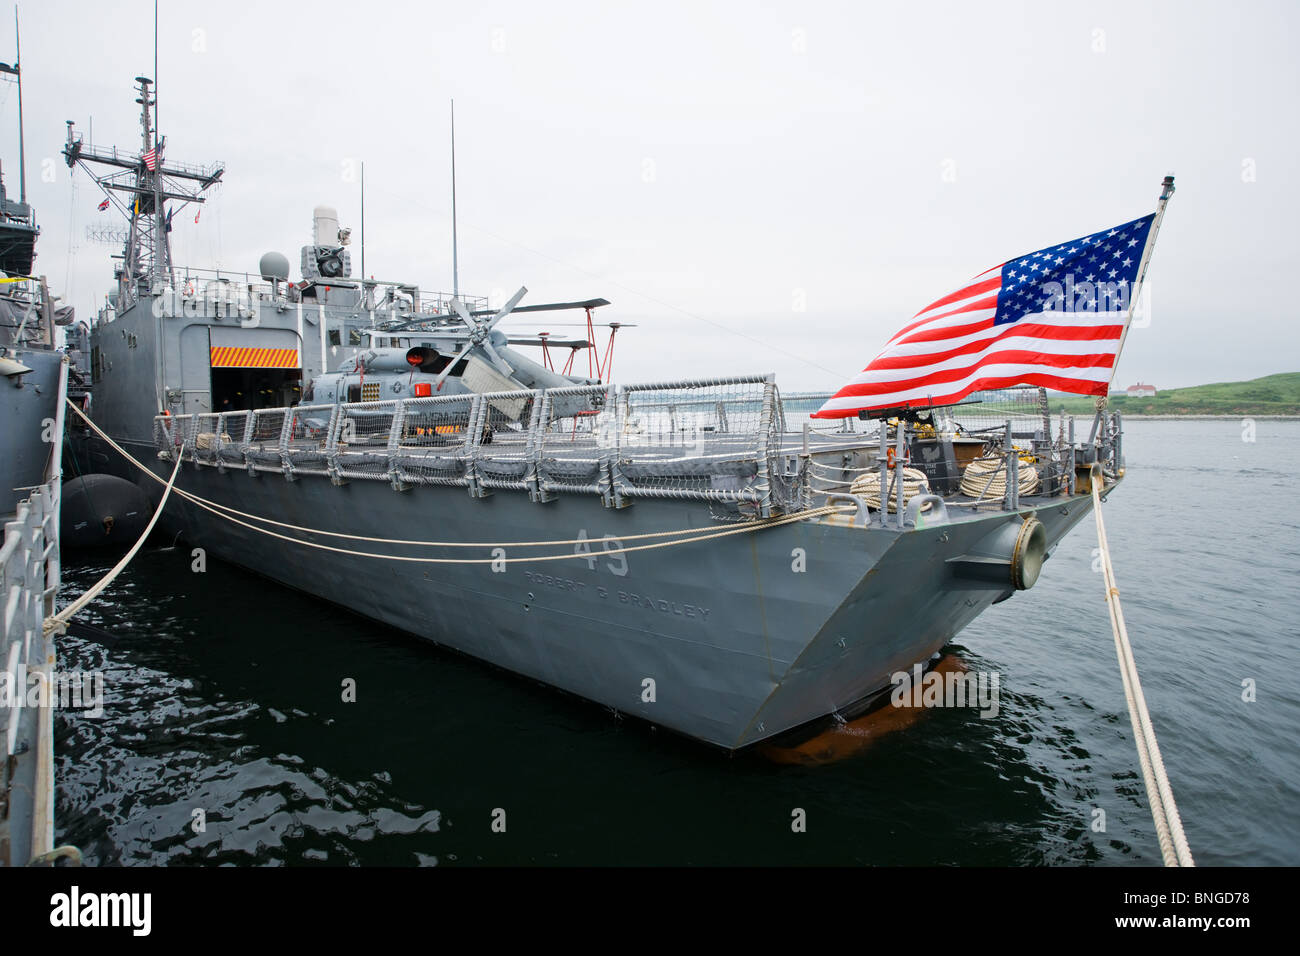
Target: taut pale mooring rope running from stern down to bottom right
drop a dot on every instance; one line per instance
(1160, 795)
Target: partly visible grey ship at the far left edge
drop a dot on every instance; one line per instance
(34, 378)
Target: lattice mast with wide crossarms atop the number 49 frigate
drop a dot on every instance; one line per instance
(142, 194)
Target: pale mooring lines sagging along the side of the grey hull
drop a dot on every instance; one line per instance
(683, 537)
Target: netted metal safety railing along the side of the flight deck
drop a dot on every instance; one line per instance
(708, 440)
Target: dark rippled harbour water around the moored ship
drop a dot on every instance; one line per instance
(224, 697)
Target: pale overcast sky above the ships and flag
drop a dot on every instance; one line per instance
(759, 187)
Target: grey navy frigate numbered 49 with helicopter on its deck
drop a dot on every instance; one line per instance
(701, 555)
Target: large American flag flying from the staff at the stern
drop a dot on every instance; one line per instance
(1052, 318)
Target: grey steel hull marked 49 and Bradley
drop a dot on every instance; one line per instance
(739, 644)
